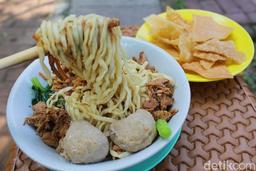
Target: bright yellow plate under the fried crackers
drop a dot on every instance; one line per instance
(239, 35)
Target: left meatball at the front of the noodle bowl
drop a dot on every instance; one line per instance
(84, 143)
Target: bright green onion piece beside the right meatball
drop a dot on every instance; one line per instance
(163, 128)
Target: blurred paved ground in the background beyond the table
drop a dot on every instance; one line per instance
(20, 18)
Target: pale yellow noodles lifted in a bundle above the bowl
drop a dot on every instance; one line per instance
(90, 47)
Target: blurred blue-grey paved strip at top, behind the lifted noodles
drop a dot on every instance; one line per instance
(129, 12)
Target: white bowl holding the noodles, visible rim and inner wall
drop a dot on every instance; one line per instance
(19, 107)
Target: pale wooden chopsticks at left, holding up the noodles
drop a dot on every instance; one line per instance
(19, 57)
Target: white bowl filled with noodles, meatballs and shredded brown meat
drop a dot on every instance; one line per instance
(99, 102)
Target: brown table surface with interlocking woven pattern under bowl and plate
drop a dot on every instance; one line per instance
(220, 127)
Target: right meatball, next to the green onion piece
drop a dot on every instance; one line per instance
(135, 132)
